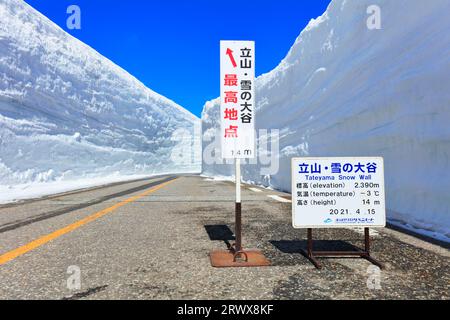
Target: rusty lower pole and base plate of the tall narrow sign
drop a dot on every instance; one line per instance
(236, 256)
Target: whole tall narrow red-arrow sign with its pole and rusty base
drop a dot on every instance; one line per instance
(237, 114)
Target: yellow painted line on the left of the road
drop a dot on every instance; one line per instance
(11, 255)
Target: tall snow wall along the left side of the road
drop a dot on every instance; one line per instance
(71, 118)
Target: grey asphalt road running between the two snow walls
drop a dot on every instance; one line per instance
(151, 239)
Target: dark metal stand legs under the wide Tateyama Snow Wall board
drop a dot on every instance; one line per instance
(365, 254)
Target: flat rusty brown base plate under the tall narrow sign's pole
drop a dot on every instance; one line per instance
(225, 259)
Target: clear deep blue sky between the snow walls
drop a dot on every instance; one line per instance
(172, 46)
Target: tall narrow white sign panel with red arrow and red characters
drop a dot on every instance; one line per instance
(237, 91)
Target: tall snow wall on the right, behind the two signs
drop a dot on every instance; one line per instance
(345, 90)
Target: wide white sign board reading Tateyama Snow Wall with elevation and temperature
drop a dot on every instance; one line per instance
(338, 192)
